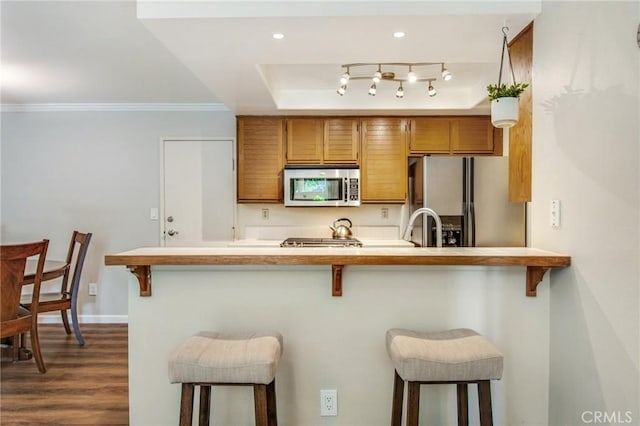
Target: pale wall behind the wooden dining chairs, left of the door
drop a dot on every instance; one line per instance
(96, 172)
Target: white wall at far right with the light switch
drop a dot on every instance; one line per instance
(586, 154)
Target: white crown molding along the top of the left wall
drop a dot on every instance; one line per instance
(113, 107)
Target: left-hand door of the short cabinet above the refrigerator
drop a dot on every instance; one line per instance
(429, 135)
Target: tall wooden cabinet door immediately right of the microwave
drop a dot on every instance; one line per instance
(384, 160)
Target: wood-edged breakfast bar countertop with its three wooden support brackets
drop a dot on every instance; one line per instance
(537, 262)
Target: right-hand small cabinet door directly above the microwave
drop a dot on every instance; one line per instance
(341, 140)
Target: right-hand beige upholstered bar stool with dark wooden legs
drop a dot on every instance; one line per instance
(460, 356)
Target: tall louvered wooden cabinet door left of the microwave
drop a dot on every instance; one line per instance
(260, 159)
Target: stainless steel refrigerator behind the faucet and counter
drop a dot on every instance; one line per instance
(470, 194)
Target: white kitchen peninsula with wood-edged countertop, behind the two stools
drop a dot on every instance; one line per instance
(335, 342)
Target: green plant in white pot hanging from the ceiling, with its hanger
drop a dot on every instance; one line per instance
(503, 97)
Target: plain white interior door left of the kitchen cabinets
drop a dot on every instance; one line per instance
(198, 192)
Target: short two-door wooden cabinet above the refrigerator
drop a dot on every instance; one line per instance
(452, 135)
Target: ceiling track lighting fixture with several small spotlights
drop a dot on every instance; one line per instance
(390, 71)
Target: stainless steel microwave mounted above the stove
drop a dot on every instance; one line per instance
(328, 186)
